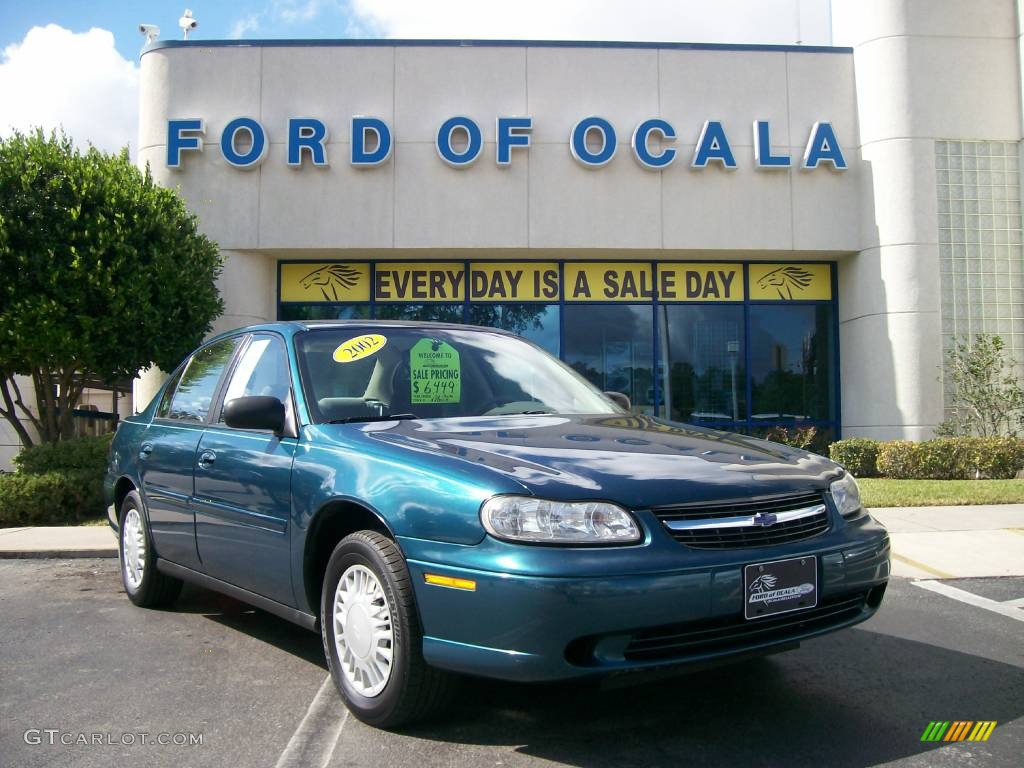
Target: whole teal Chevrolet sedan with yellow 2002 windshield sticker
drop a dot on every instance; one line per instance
(441, 499)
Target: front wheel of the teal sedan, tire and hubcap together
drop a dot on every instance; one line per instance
(381, 616)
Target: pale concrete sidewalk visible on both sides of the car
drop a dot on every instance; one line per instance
(928, 542)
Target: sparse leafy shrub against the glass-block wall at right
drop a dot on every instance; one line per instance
(988, 399)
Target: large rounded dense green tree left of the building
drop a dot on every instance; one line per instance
(104, 274)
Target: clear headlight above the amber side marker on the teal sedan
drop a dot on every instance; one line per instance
(519, 519)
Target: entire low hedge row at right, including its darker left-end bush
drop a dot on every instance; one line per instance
(941, 459)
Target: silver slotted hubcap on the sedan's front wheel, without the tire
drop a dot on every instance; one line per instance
(363, 633)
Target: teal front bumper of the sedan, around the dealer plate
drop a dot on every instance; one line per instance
(550, 614)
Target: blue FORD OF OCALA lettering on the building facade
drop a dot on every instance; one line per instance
(593, 143)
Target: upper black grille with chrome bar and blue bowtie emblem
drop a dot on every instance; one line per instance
(733, 534)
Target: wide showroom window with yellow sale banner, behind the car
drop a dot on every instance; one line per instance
(748, 348)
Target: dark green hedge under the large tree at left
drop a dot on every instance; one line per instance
(57, 484)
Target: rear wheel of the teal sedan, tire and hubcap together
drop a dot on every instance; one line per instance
(146, 586)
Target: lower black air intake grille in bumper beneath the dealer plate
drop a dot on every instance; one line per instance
(736, 633)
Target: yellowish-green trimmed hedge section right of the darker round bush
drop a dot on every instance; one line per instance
(952, 458)
